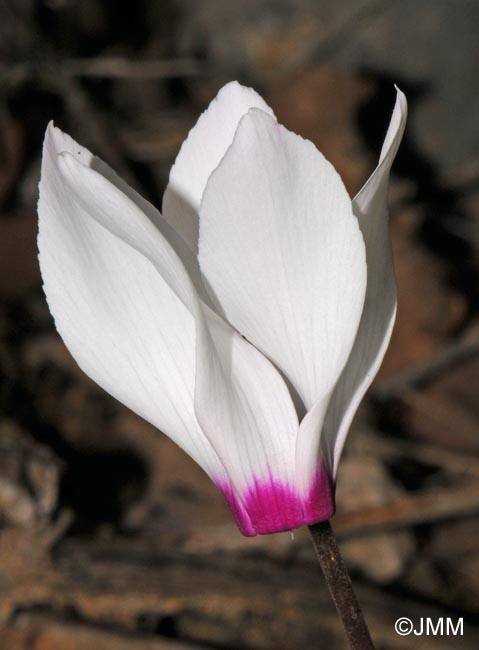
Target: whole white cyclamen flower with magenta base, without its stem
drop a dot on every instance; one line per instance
(247, 321)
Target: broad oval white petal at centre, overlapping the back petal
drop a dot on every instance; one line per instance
(282, 252)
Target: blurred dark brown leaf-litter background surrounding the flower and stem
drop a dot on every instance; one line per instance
(110, 537)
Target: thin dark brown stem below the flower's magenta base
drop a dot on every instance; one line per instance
(340, 586)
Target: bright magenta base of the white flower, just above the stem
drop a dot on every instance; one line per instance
(271, 506)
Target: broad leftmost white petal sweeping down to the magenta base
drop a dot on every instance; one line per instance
(115, 261)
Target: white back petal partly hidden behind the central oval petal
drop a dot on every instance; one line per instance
(200, 154)
